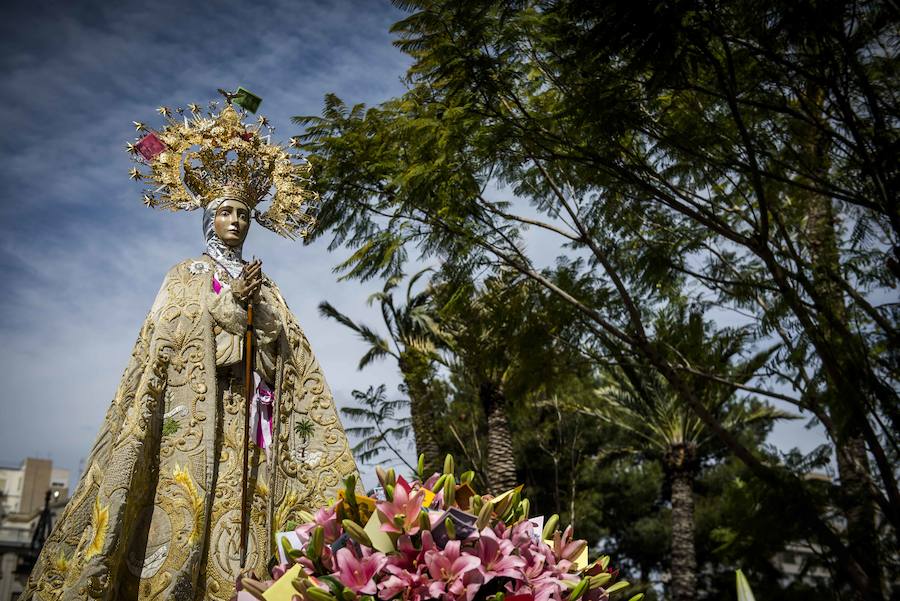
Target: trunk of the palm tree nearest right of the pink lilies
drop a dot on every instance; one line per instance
(683, 568)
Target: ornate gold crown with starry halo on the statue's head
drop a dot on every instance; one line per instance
(196, 159)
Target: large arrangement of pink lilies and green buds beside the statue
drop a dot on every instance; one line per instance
(433, 539)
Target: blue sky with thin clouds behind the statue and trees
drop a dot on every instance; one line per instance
(83, 258)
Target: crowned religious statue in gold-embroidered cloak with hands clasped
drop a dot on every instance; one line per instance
(157, 513)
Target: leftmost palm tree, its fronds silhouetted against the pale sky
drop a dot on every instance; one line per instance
(412, 340)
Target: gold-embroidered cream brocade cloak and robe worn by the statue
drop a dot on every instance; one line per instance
(157, 512)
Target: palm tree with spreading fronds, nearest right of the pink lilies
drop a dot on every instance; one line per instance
(638, 399)
